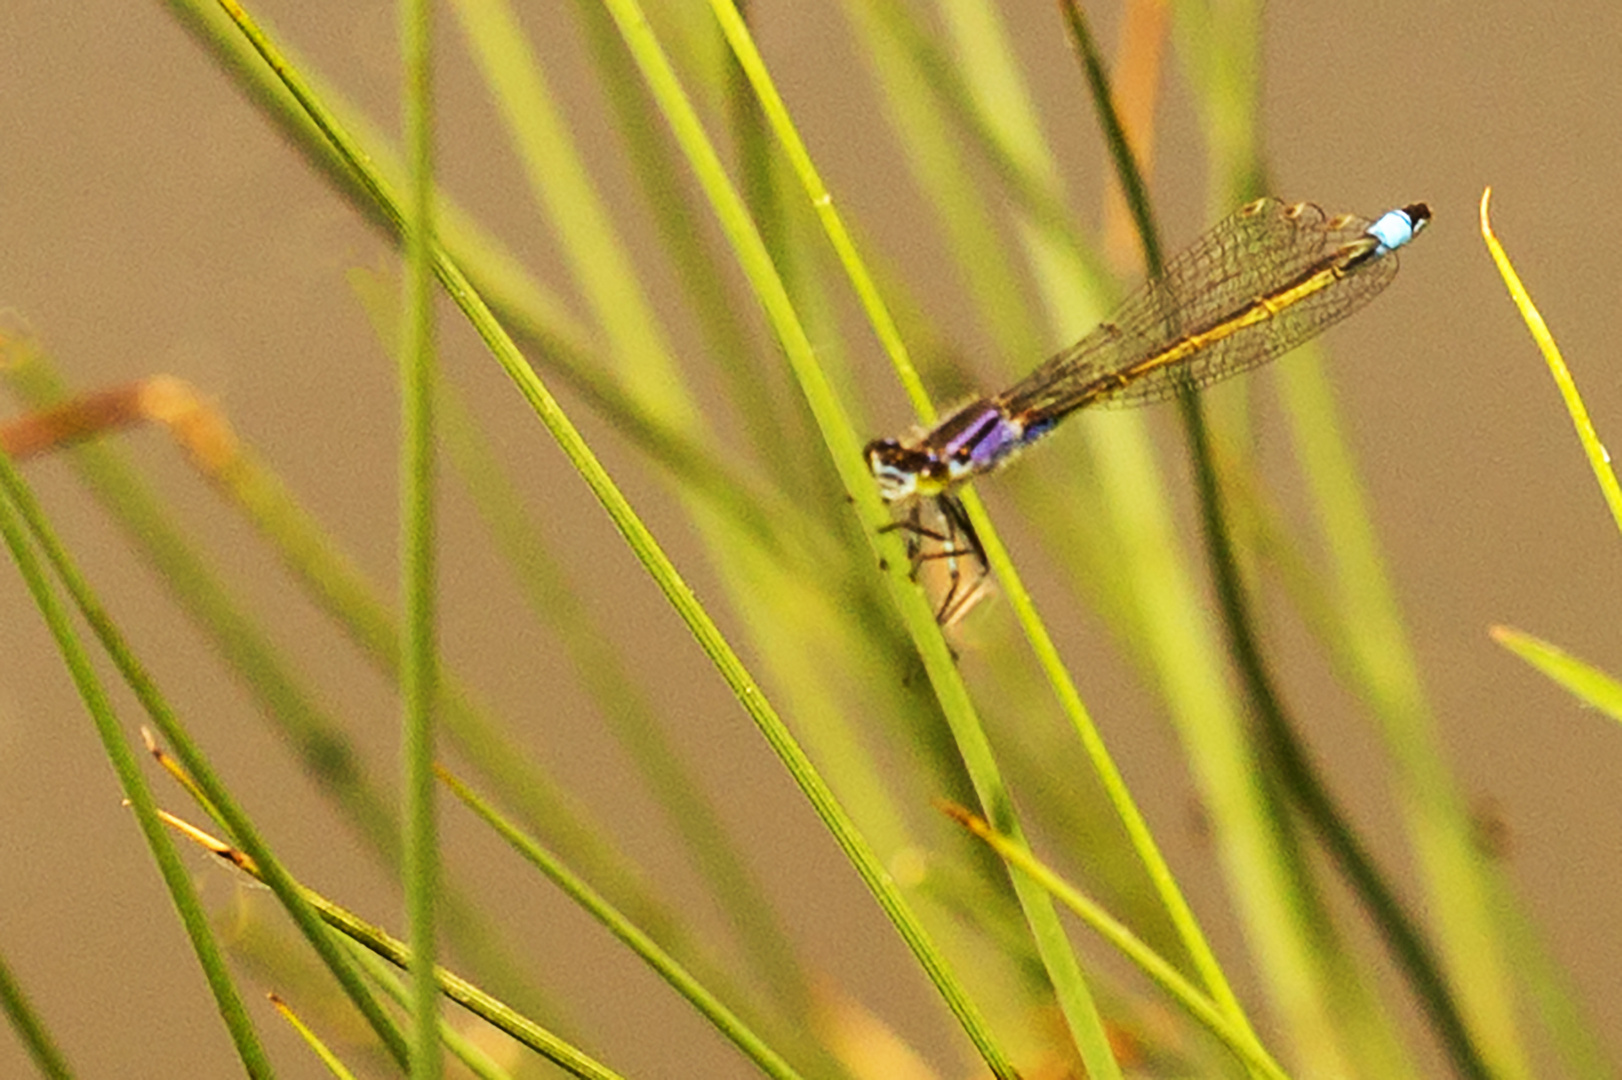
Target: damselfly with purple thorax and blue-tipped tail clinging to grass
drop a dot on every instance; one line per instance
(1264, 281)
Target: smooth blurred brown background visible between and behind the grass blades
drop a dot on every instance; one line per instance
(153, 223)
